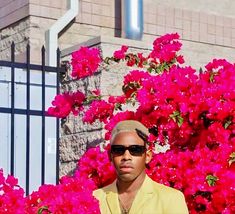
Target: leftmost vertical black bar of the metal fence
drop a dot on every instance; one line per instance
(12, 171)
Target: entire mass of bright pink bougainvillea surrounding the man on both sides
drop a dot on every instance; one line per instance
(191, 118)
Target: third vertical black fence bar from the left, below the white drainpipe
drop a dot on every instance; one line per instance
(43, 117)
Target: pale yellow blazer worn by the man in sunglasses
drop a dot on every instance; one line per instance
(152, 198)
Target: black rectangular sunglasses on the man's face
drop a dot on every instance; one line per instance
(135, 150)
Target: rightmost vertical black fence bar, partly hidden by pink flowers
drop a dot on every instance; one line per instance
(57, 120)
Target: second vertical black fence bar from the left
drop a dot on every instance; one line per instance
(27, 119)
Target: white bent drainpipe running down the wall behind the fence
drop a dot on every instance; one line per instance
(51, 35)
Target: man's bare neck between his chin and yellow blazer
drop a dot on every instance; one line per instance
(130, 187)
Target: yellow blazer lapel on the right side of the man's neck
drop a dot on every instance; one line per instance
(144, 194)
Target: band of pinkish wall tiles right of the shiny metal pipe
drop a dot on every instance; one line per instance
(193, 25)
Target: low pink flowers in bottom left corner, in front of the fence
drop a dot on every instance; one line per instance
(72, 195)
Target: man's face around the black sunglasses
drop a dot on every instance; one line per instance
(129, 167)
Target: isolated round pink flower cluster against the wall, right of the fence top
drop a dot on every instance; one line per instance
(85, 62)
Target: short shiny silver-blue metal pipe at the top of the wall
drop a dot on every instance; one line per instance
(132, 19)
